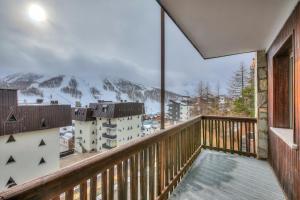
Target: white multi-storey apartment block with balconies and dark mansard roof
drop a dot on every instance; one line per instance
(105, 125)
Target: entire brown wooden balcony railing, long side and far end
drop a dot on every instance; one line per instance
(147, 168)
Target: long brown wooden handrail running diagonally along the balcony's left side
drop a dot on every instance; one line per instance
(53, 184)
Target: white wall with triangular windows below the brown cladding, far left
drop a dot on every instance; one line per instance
(27, 155)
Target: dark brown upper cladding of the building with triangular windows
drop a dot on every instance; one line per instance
(17, 119)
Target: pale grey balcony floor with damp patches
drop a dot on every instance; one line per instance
(216, 175)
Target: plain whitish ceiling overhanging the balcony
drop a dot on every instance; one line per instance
(225, 27)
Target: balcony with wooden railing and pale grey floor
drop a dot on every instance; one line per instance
(152, 167)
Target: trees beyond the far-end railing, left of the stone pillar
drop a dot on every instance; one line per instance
(239, 100)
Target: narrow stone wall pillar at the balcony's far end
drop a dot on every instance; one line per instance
(262, 104)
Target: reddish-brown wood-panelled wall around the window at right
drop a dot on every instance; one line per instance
(283, 159)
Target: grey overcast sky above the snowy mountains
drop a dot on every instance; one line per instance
(99, 38)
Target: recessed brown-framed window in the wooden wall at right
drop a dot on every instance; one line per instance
(283, 86)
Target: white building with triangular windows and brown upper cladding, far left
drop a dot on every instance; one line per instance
(29, 139)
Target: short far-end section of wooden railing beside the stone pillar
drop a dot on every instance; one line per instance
(229, 134)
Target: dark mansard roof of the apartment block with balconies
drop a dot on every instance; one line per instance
(108, 110)
